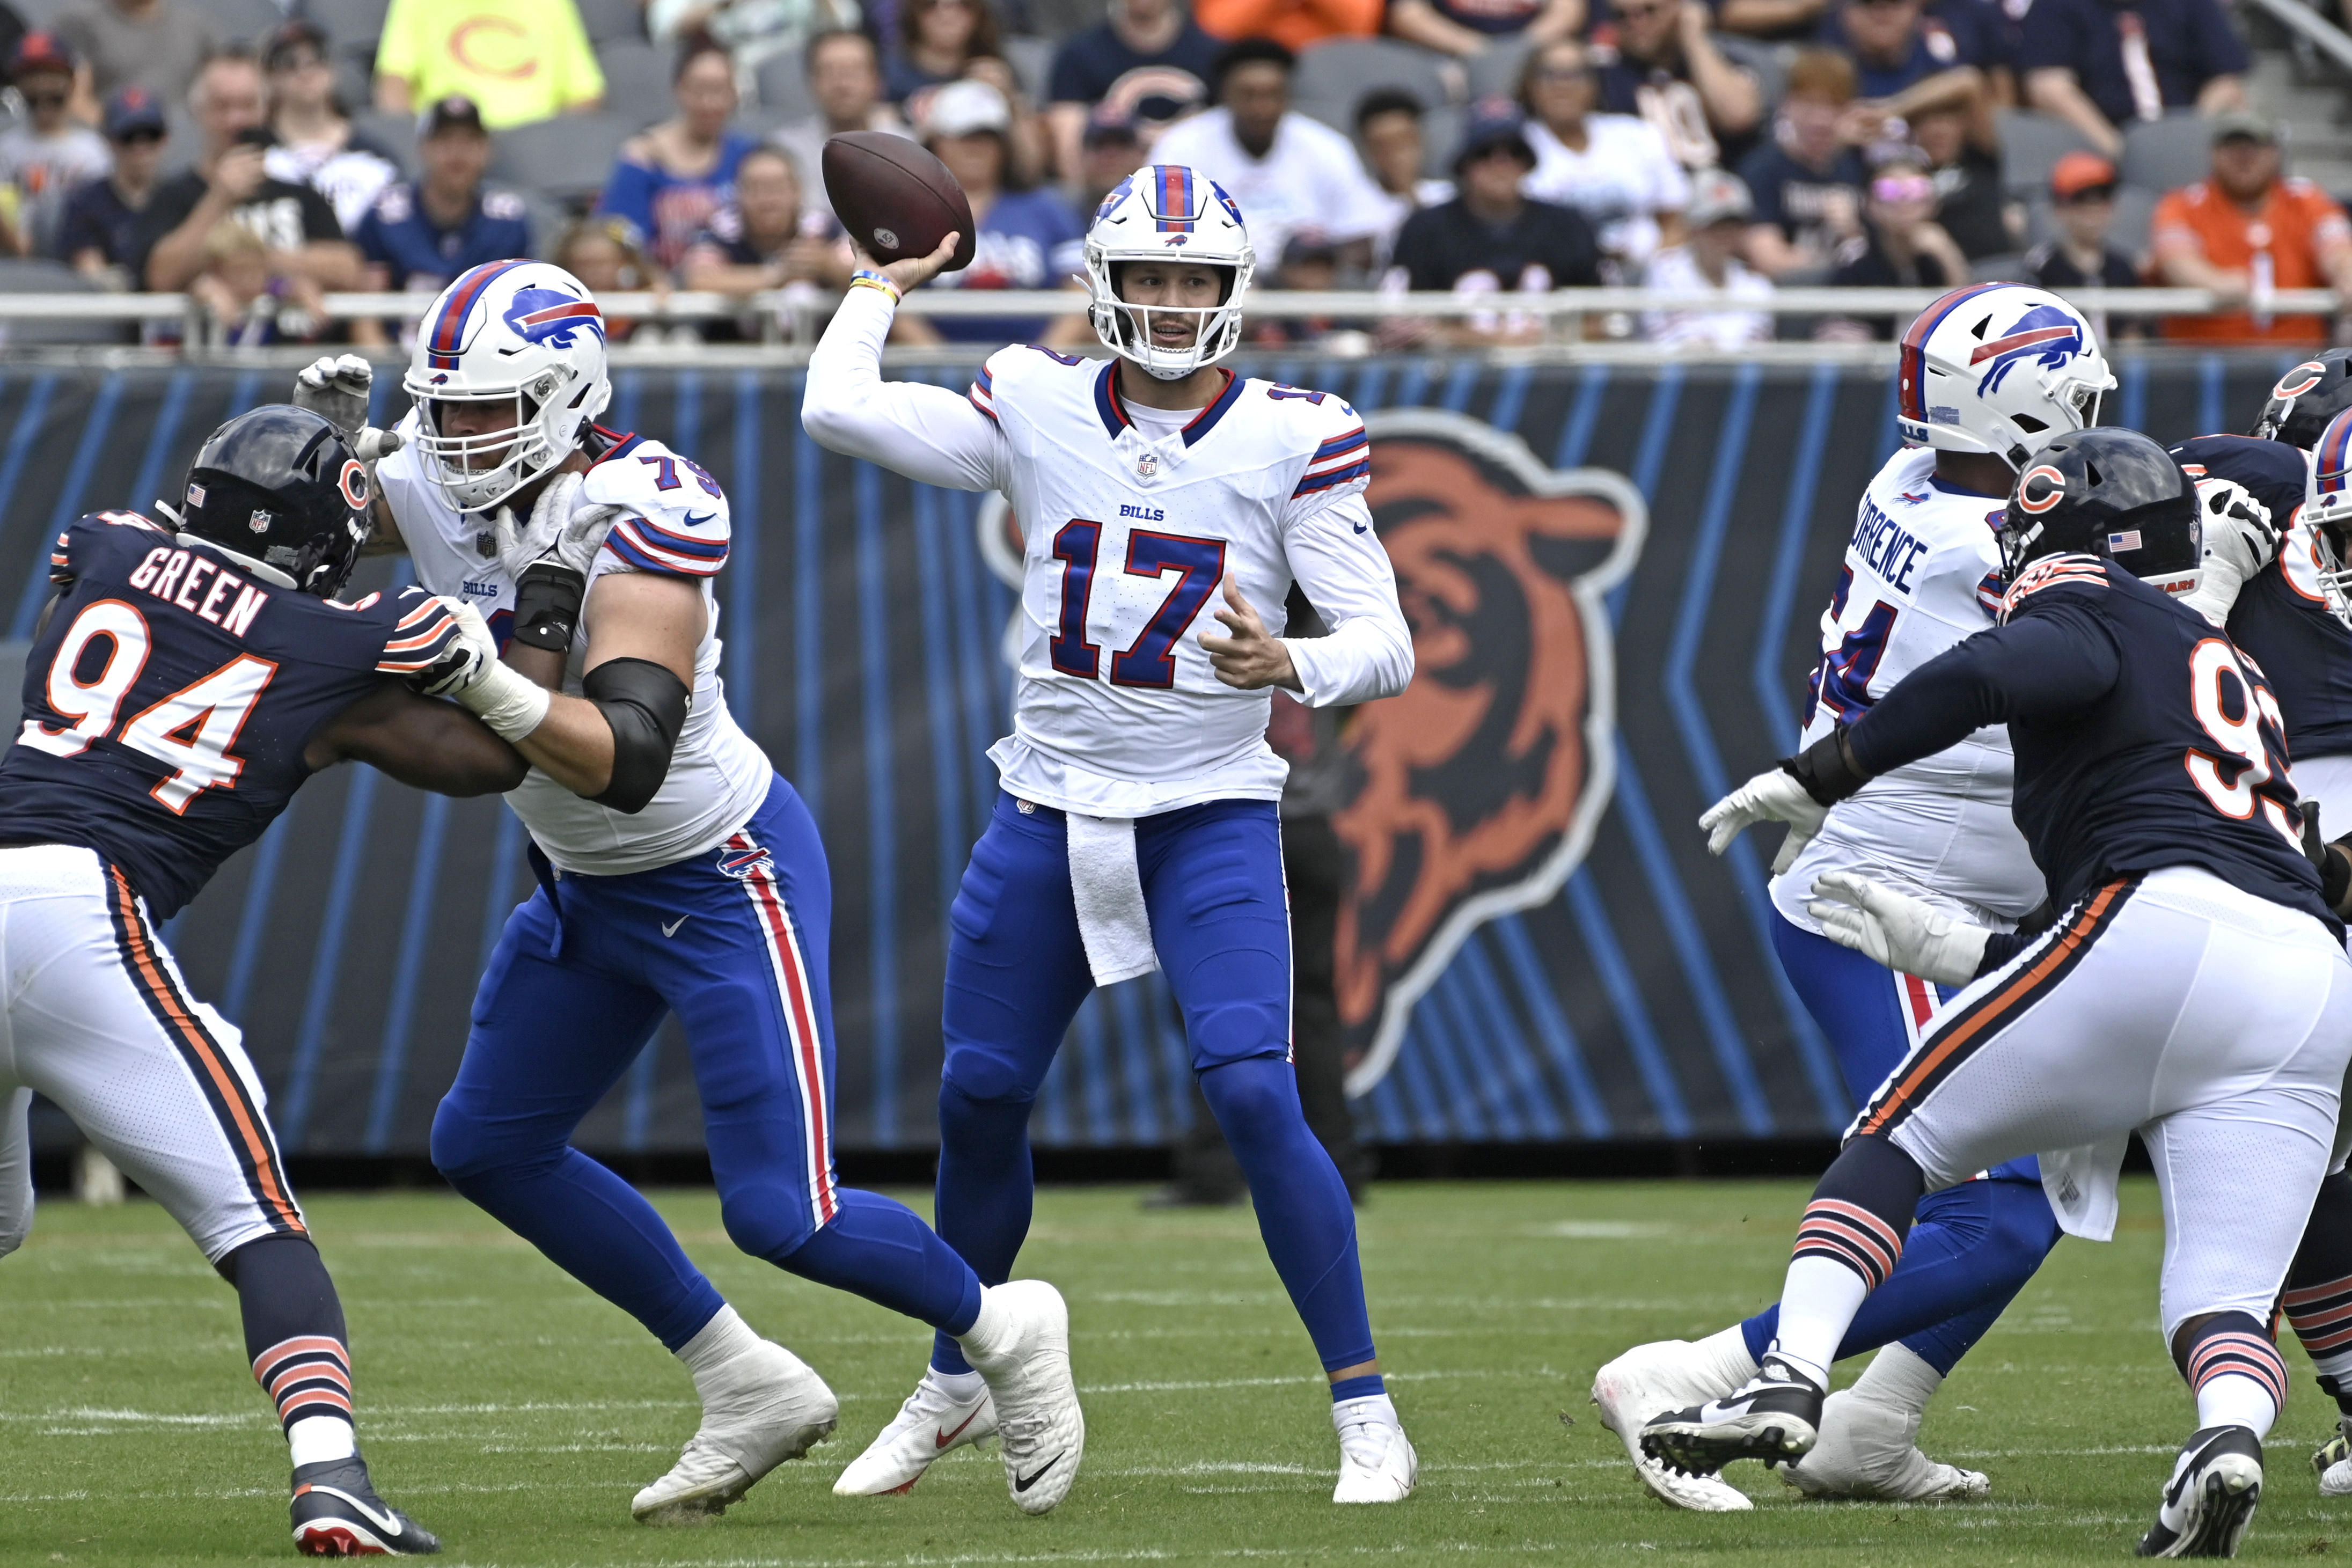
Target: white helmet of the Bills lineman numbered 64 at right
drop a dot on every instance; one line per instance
(1998, 368)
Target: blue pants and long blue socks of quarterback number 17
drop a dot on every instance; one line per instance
(1017, 974)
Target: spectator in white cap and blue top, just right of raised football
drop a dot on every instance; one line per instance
(1024, 236)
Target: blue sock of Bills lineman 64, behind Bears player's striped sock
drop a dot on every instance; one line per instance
(1967, 1257)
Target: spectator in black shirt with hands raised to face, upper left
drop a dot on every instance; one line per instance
(232, 182)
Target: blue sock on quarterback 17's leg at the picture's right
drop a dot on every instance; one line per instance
(1302, 1202)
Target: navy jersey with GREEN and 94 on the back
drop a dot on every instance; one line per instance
(171, 699)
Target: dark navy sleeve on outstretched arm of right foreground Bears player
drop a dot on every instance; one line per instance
(2043, 666)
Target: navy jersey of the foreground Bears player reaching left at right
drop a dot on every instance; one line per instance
(2144, 737)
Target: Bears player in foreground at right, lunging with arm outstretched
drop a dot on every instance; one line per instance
(2196, 991)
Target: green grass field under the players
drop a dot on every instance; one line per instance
(516, 1414)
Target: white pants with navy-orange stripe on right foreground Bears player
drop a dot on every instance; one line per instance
(2210, 1021)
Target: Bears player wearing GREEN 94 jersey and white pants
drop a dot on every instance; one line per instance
(187, 678)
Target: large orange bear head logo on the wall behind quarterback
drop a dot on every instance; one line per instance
(1478, 789)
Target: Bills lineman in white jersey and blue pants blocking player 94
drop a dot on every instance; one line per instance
(676, 873)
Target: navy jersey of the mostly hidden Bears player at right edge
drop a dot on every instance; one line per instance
(2283, 617)
